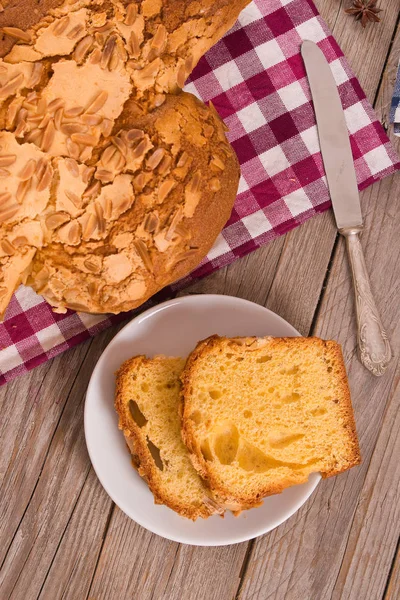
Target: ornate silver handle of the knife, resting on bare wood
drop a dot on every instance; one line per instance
(373, 344)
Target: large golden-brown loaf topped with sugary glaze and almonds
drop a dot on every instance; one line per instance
(112, 183)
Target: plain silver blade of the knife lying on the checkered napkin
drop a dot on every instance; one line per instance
(333, 138)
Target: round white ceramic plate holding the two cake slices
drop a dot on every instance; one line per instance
(173, 329)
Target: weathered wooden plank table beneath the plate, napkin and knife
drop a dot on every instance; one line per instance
(61, 535)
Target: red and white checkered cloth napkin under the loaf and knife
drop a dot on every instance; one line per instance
(255, 77)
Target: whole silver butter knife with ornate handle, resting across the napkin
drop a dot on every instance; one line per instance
(373, 344)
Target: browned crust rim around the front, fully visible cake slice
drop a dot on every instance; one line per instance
(215, 342)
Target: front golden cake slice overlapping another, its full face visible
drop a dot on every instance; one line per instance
(261, 414)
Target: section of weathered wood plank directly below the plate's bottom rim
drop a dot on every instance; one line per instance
(136, 563)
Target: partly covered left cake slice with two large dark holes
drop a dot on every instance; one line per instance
(147, 402)
